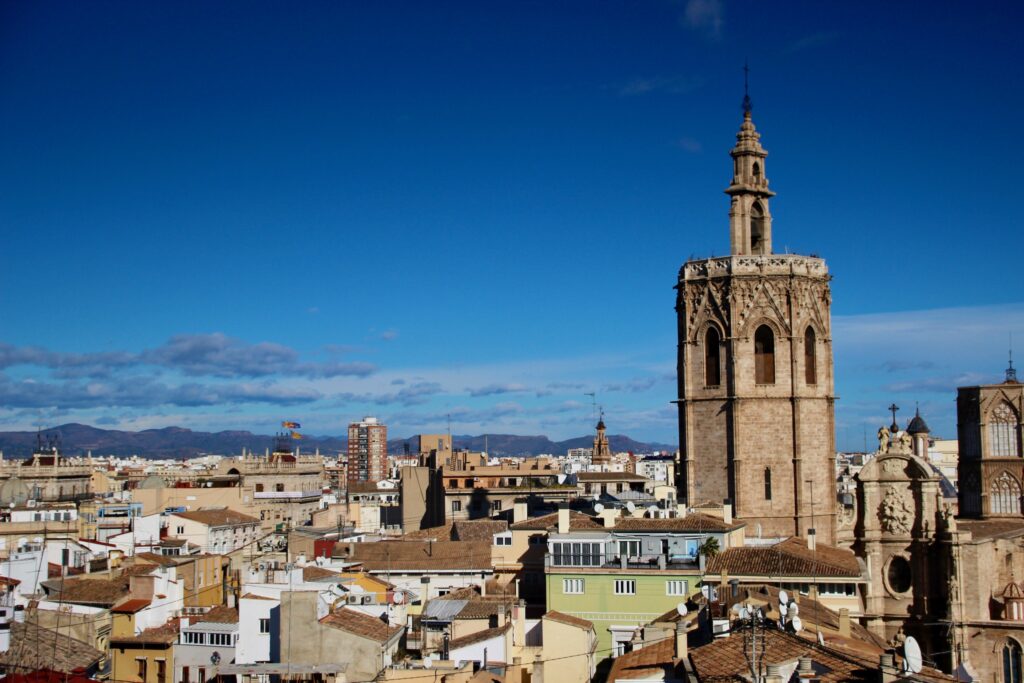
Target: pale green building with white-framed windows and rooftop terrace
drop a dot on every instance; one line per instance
(622, 573)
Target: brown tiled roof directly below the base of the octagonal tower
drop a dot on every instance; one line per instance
(788, 559)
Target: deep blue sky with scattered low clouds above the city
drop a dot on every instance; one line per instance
(222, 216)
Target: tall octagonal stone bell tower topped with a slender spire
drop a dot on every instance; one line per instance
(755, 370)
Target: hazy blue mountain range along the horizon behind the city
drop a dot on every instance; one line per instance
(77, 440)
